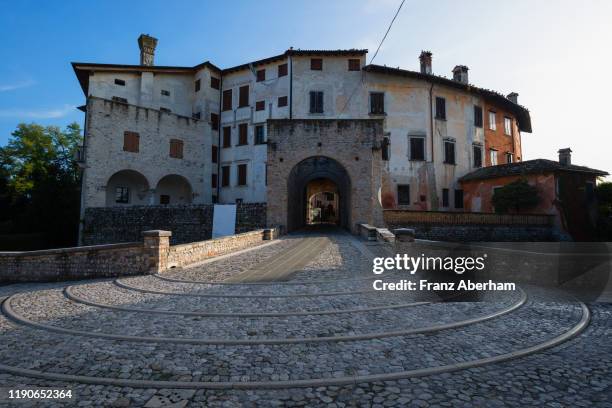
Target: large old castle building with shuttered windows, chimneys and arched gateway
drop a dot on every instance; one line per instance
(315, 134)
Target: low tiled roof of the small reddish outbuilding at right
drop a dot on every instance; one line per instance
(528, 167)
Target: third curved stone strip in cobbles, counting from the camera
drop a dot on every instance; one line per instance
(75, 298)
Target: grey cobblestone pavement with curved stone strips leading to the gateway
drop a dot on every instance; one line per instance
(202, 336)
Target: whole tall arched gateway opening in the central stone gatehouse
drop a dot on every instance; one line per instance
(319, 191)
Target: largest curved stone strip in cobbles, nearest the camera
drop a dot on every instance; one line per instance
(346, 380)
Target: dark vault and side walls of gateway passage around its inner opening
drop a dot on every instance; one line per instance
(317, 168)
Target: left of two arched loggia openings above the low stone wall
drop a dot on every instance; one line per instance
(127, 187)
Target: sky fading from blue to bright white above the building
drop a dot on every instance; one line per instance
(556, 54)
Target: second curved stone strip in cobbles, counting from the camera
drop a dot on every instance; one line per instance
(15, 317)
